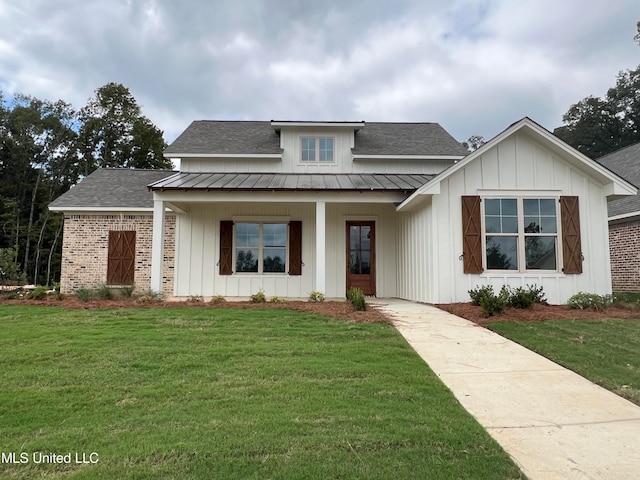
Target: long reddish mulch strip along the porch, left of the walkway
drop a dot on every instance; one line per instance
(336, 309)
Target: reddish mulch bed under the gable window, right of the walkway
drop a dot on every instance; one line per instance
(539, 312)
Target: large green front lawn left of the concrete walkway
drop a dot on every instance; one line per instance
(223, 393)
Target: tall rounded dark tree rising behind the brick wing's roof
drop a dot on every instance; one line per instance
(114, 133)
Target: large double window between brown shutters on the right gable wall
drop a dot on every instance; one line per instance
(521, 234)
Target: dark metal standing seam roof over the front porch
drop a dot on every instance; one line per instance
(288, 181)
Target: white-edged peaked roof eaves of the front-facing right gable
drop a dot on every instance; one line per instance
(616, 185)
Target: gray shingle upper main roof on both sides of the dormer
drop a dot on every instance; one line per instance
(214, 137)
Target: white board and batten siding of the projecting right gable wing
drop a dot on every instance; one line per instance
(518, 165)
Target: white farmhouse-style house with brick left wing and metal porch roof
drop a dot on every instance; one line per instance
(396, 209)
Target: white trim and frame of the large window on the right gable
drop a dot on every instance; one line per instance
(522, 262)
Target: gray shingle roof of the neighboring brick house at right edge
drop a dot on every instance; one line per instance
(626, 163)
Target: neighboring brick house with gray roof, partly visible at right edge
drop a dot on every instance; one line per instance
(624, 222)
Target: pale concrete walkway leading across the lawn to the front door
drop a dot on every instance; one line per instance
(554, 423)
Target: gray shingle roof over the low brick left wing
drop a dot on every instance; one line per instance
(120, 189)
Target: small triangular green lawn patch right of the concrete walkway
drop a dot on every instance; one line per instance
(607, 352)
